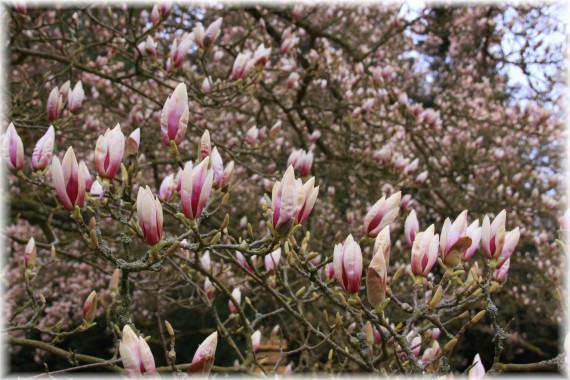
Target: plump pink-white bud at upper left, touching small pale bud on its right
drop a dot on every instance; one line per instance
(109, 152)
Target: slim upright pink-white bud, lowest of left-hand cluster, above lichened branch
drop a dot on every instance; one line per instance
(149, 211)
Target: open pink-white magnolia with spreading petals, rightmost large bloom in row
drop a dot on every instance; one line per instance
(497, 244)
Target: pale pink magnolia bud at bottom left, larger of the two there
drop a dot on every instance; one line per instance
(136, 355)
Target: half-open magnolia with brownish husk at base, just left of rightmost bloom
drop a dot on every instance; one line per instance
(453, 241)
